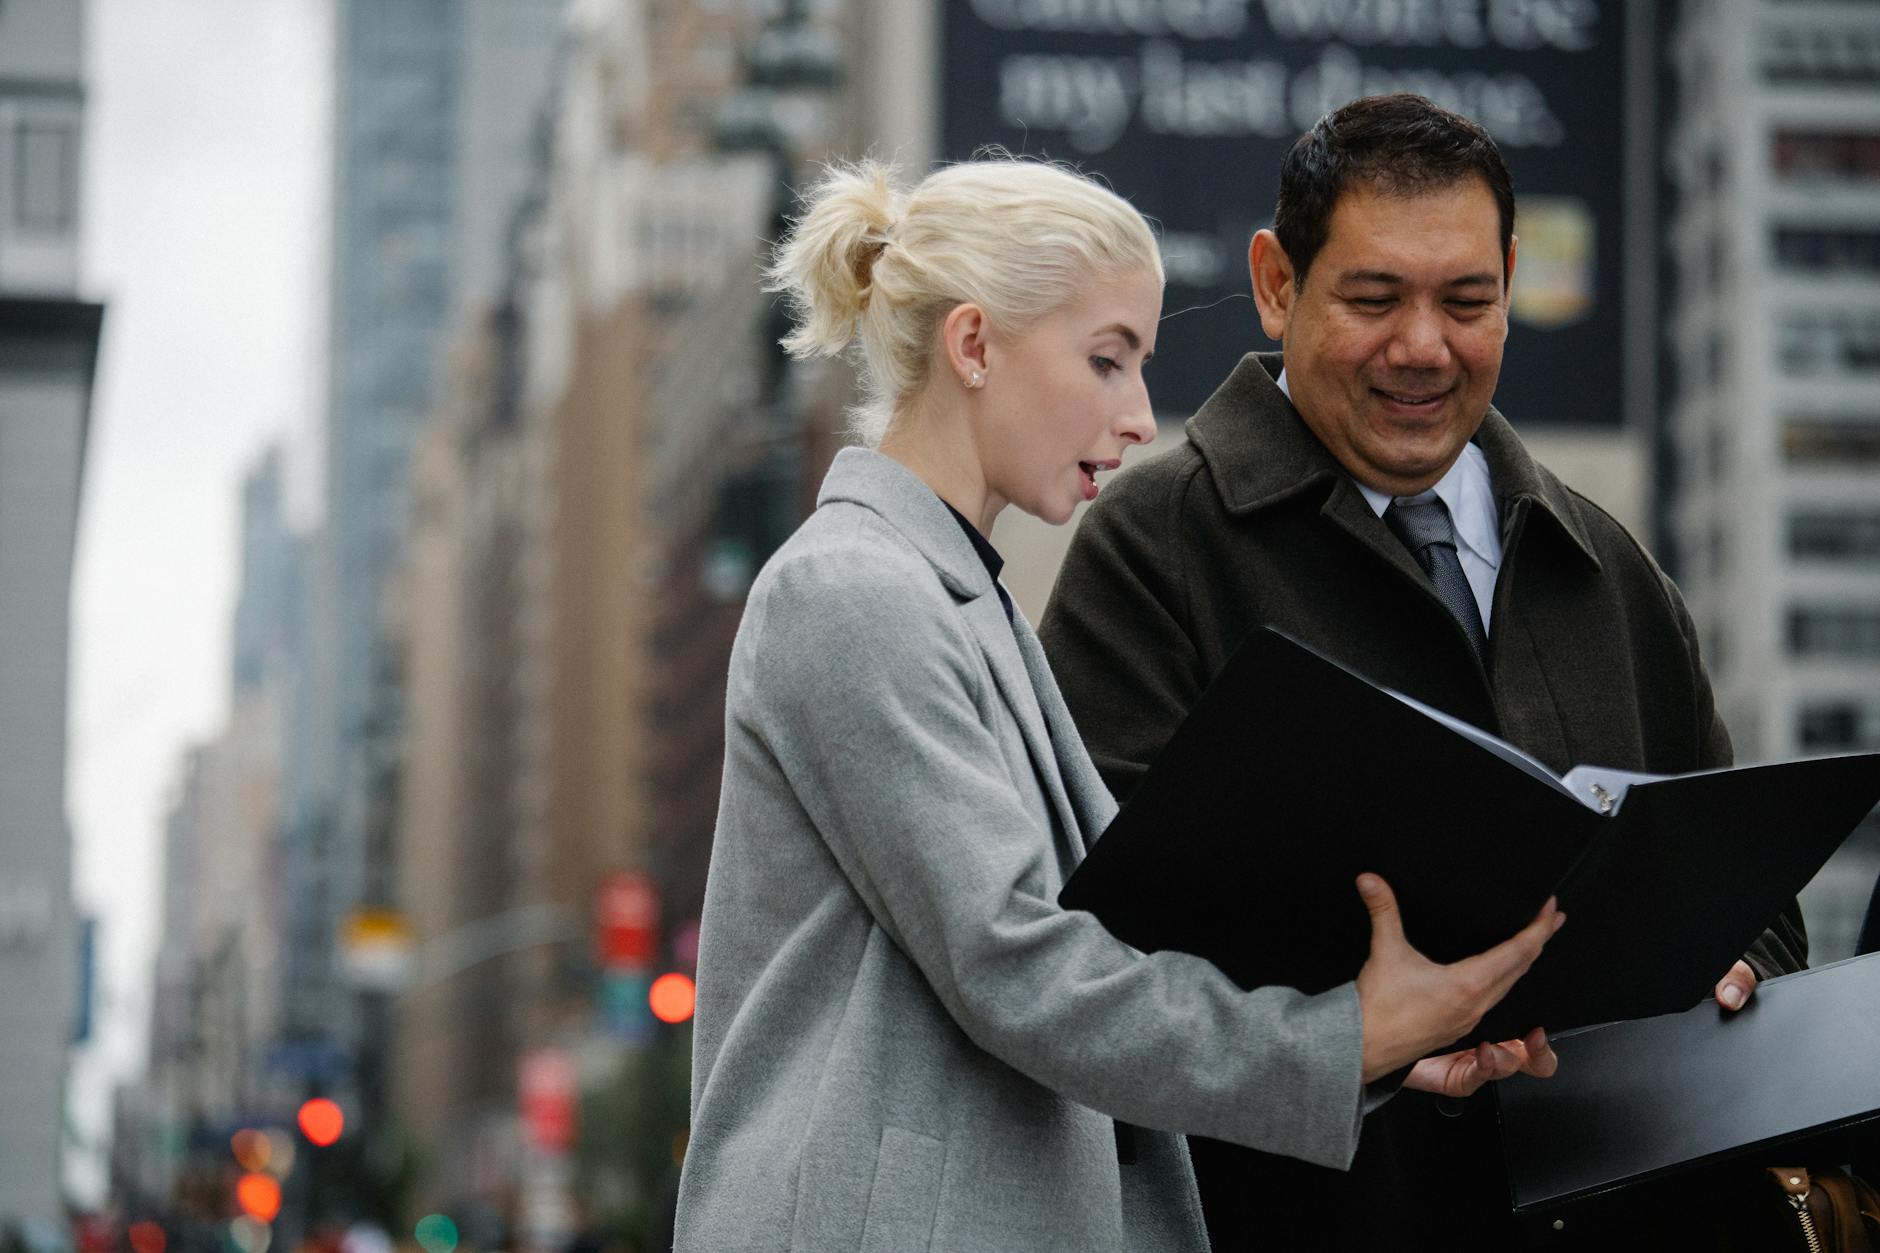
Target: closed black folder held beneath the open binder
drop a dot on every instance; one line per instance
(1793, 1079)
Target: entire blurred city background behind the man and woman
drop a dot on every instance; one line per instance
(392, 426)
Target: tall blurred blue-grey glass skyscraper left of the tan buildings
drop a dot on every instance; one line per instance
(435, 103)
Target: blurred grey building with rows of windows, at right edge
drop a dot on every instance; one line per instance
(1770, 462)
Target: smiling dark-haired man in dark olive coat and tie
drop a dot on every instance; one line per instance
(1360, 494)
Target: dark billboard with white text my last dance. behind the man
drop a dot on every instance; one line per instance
(1187, 108)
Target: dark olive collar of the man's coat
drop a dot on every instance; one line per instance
(1261, 452)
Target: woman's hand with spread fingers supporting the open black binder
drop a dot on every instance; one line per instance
(1413, 1006)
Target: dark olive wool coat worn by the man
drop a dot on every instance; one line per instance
(1591, 659)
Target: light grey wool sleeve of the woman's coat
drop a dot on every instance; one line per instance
(873, 699)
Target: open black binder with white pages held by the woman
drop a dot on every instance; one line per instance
(1292, 776)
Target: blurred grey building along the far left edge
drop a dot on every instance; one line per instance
(48, 355)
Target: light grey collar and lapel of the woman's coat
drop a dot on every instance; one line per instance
(1012, 654)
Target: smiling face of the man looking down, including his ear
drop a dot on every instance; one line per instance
(1394, 341)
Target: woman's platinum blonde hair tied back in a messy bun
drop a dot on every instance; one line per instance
(883, 266)
